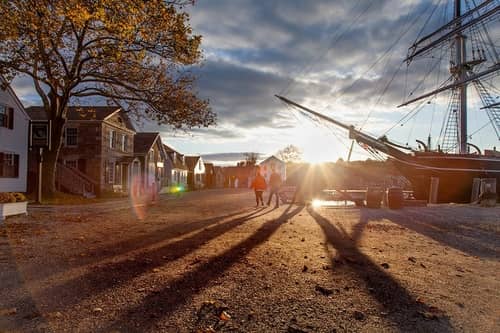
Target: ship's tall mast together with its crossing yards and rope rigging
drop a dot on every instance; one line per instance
(461, 69)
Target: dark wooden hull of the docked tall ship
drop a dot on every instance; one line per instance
(456, 174)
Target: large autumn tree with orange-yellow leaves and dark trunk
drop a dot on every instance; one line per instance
(136, 54)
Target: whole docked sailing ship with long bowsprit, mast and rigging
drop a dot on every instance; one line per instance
(456, 161)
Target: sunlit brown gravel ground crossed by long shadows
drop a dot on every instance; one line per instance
(210, 261)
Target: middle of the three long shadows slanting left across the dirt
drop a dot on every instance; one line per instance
(114, 274)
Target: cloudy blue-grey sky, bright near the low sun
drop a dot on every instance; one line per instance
(342, 58)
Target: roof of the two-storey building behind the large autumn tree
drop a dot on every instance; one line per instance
(99, 113)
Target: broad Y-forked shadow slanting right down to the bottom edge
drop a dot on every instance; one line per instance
(401, 306)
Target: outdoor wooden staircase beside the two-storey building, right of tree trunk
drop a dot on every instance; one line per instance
(74, 181)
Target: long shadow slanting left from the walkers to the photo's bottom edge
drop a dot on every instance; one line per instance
(178, 292)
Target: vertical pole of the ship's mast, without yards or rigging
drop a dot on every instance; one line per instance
(459, 72)
